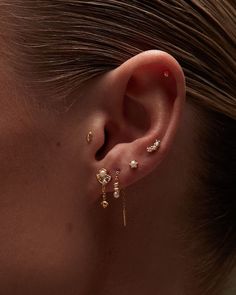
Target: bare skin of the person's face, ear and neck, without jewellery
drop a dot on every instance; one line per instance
(55, 237)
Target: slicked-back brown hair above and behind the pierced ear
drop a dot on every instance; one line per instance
(57, 46)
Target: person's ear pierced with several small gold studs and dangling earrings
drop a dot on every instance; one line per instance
(143, 101)
